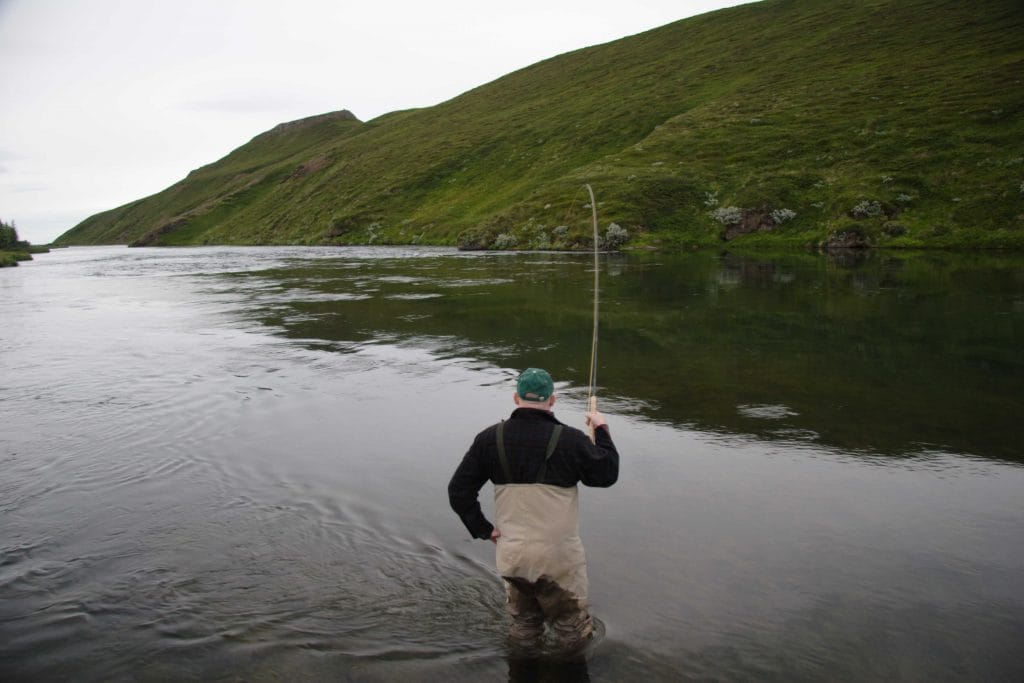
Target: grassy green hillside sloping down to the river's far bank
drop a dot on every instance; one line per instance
(887, 122)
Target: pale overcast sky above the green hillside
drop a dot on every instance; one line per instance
(105, 102)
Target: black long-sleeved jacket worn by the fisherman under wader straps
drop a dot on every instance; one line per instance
(527, 435)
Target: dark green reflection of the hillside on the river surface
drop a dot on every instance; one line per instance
(891, 355)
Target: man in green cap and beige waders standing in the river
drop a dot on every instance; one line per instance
(535, 463)
